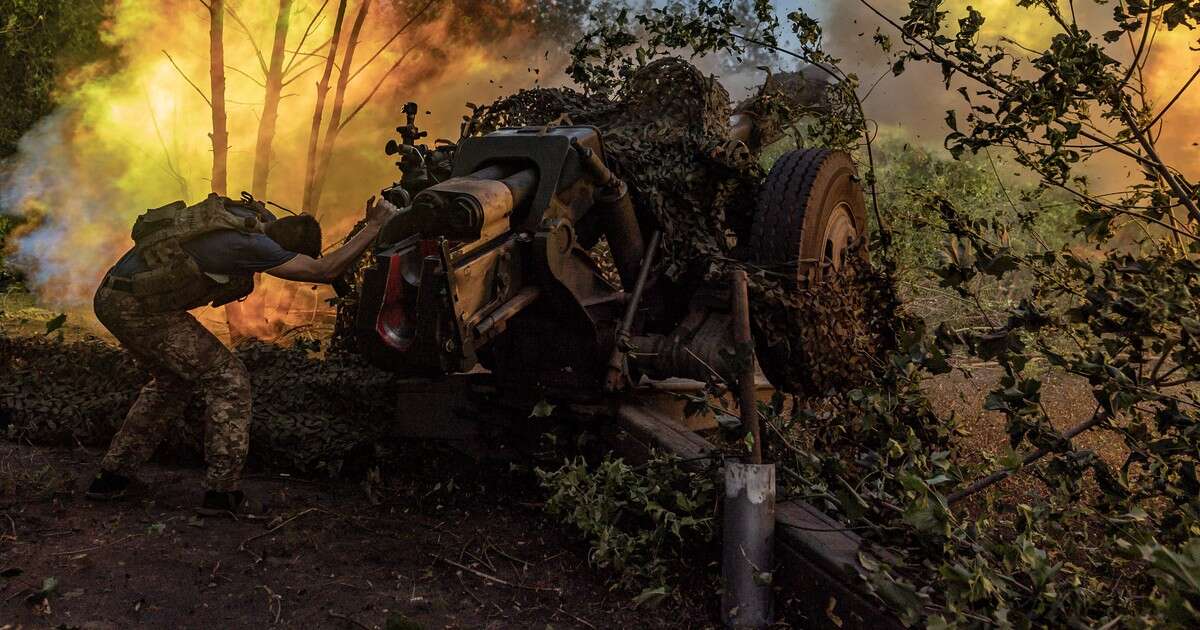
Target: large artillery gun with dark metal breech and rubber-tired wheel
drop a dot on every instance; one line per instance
(494, 262)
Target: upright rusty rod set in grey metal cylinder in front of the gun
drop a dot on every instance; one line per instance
(749, 520)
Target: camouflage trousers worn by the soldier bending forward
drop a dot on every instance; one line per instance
(183, 357)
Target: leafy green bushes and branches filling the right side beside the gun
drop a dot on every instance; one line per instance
(1100, 543)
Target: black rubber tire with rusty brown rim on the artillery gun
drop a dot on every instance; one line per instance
(806, 194)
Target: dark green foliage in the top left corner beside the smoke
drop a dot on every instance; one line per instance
(39, 41)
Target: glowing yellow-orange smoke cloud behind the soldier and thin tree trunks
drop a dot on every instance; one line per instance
(137, 136)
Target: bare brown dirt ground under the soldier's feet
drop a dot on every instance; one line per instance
(412, 550)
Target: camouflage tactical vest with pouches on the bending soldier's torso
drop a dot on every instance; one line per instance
(173, 280)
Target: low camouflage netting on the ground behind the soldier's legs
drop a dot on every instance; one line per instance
(309, 413)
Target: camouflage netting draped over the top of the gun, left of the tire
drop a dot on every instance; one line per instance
(664, 136)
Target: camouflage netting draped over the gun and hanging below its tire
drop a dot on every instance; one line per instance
(667, 135)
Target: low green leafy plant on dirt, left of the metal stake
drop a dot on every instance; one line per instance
(640, 521)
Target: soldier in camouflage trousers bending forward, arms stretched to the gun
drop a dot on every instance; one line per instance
(185, 257)
